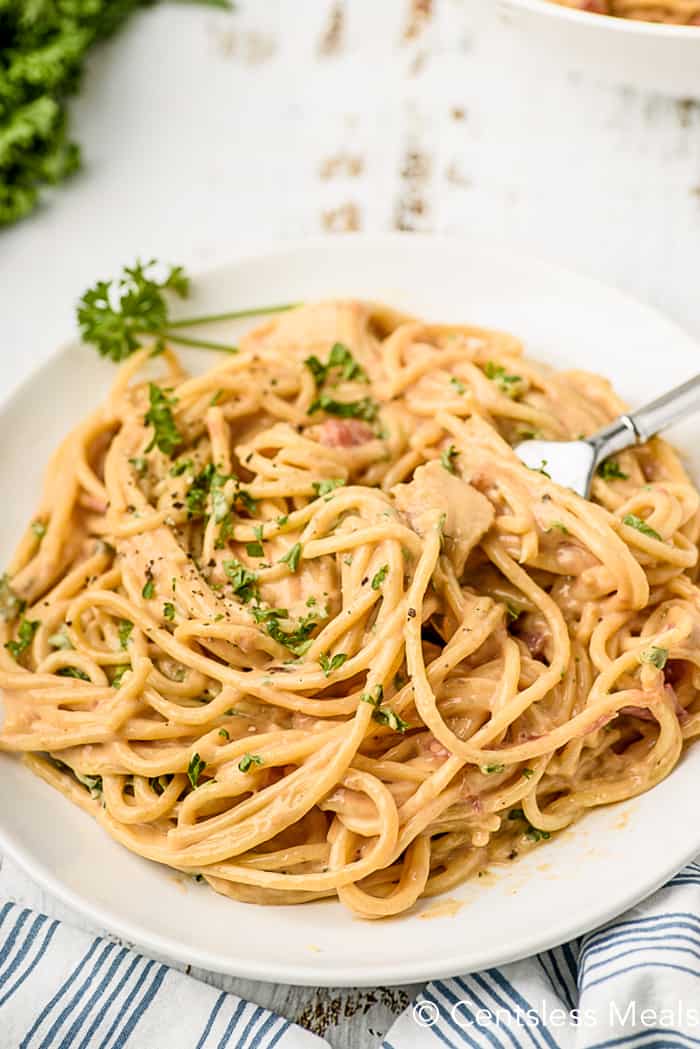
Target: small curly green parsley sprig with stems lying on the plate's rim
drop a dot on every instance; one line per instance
(116, 316)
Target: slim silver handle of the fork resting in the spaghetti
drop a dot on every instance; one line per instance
(640, 426)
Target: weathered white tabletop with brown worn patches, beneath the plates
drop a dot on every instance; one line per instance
(206, 134)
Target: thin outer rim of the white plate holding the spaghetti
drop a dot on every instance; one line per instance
(272, 971)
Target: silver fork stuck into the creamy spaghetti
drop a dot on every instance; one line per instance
(574, 463)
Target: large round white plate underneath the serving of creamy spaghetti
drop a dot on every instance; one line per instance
(587, 875)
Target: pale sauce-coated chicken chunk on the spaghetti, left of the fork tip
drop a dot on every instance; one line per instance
(469, 515)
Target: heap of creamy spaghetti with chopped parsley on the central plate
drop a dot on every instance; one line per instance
(304, 627)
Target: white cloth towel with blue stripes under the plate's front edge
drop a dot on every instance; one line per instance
(635, 983)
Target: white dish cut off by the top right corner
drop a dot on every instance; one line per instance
(647, 55)
